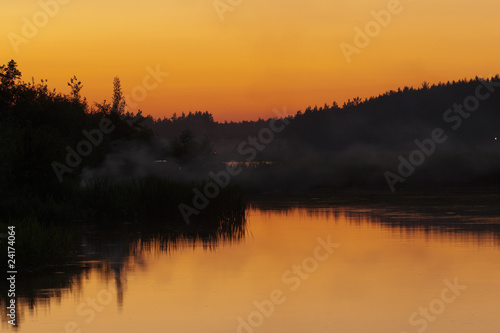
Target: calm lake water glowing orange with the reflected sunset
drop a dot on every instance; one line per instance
(385, 271)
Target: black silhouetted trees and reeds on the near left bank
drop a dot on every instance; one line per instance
(51, 145)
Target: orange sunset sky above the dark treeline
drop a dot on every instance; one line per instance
(263, 55)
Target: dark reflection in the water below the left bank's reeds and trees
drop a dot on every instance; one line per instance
(115, 252)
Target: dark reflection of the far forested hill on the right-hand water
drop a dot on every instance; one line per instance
(468, 214)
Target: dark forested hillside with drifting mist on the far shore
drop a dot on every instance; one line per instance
(367, 142)
